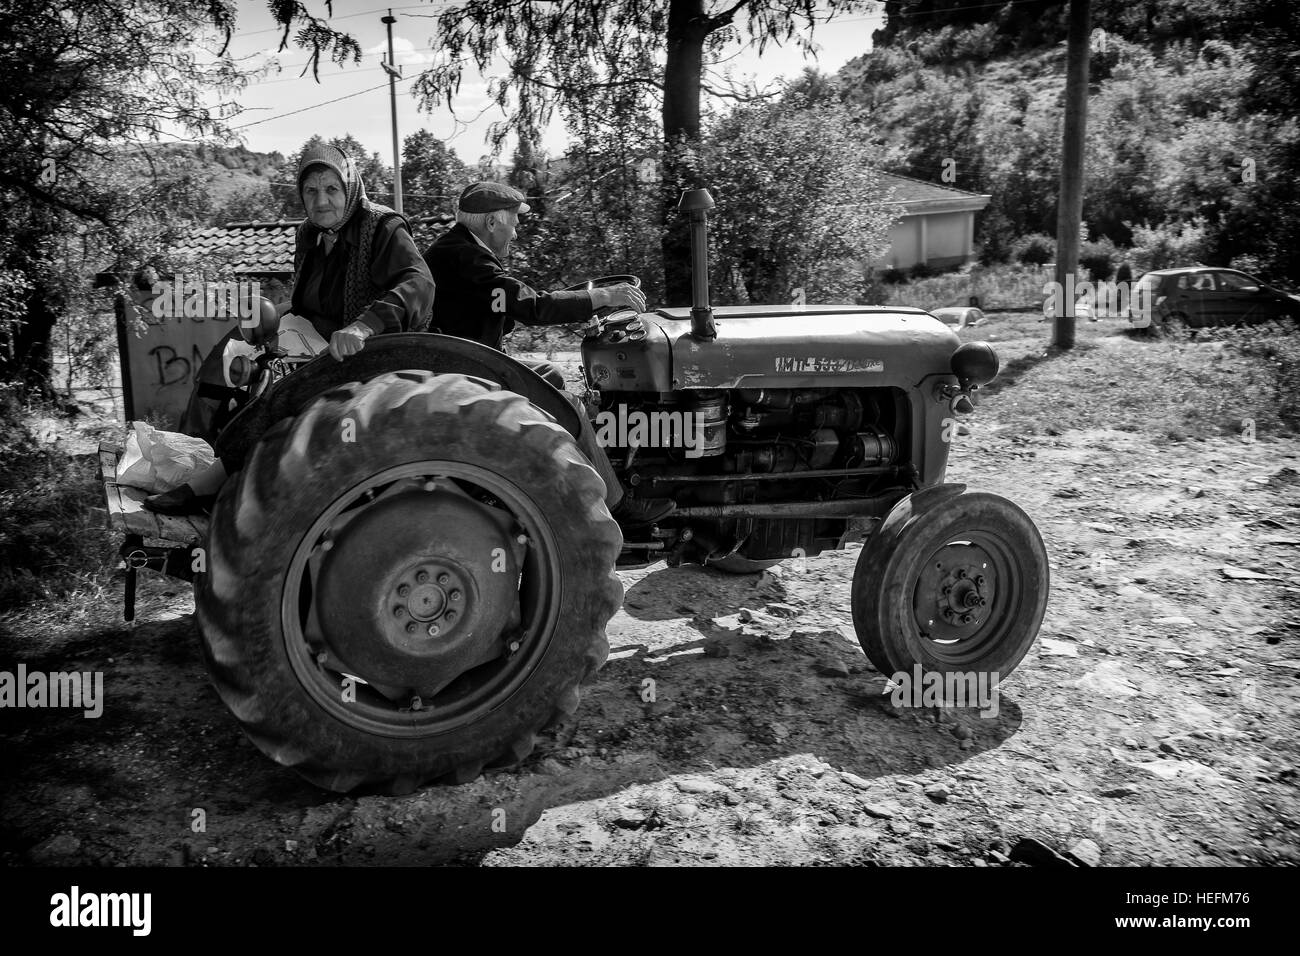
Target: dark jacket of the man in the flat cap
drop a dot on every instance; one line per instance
(479, 300)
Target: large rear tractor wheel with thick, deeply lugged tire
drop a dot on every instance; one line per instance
(341, 555)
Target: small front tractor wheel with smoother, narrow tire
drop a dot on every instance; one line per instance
(961, 585)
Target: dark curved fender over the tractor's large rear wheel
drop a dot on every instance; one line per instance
(384, 354)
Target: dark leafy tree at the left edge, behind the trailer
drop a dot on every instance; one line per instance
(84, 85)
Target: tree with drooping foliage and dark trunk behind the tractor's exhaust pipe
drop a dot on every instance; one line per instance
(570, 54)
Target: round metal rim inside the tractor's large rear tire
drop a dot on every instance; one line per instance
(483, 608)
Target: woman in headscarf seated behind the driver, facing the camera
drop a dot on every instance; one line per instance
(358, 274)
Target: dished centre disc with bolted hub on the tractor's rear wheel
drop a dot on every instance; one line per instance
(417, 589)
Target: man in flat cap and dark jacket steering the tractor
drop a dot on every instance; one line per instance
(478, 299)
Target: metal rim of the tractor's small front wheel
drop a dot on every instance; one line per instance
(968, 598)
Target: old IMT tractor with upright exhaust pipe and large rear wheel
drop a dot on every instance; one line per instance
(411, 576)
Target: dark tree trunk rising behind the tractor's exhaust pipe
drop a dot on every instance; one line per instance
(688, 27)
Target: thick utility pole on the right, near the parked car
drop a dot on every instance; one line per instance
(1071, 201)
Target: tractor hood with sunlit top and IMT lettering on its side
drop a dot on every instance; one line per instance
(765, 347)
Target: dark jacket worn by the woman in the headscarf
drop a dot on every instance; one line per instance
(393, 296)
